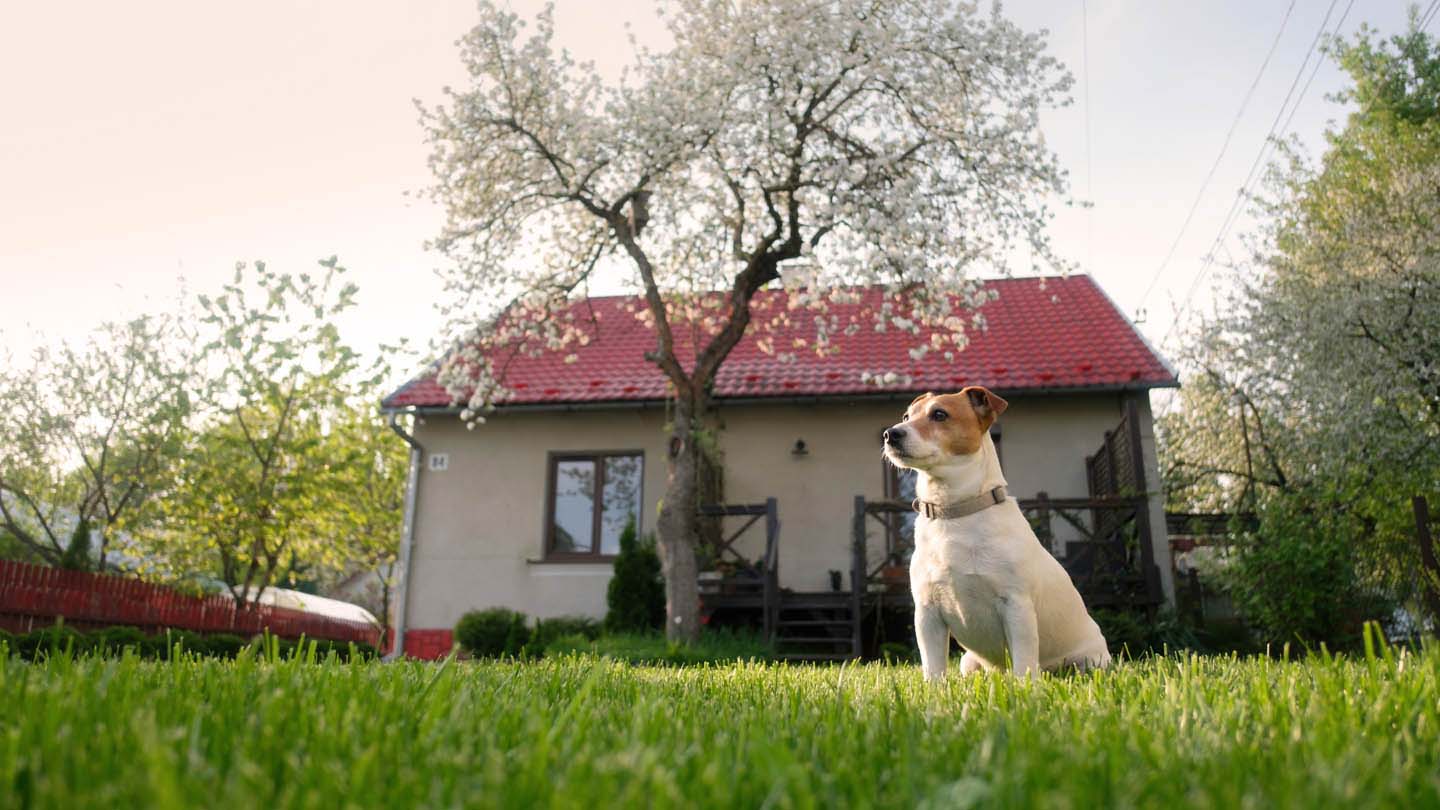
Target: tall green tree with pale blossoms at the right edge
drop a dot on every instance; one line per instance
(1317, 393)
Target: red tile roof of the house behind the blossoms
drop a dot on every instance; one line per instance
(1042, 335)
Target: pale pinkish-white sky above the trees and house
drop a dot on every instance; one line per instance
(146, 148)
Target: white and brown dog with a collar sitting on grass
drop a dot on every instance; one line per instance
(978, 570)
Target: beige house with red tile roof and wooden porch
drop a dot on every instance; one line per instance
(508, 515)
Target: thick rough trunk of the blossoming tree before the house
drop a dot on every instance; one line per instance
(678, 531)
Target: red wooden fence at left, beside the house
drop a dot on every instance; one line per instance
(34, 597)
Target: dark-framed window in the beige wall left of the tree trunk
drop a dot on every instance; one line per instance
(578, 524)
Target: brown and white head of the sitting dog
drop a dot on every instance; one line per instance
(942, 427)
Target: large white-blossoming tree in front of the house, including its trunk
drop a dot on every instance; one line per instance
(814, 145)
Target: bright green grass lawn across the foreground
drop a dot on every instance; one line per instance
(591, 733)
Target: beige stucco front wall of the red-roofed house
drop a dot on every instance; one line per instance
(480, 522)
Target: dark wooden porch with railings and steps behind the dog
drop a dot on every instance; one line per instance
(1104, 540)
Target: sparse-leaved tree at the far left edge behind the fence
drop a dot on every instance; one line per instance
(91, 433)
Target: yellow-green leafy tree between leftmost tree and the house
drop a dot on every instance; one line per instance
(263, 479)
